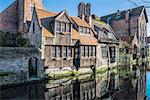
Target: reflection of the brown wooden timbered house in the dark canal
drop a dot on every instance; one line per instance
(79, 89)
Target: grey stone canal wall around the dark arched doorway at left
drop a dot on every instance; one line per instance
(16, 60)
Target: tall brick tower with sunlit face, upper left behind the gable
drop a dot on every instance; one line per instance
(25, 10)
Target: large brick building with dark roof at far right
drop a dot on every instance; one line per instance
(131, 27)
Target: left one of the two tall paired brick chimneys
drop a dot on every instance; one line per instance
(81, 10)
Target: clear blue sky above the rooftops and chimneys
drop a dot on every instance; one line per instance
(99, 7)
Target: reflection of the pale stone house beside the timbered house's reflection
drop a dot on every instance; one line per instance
(106, 84)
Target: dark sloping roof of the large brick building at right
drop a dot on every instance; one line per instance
(121, 14)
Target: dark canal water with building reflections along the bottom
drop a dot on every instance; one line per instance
(122, 83)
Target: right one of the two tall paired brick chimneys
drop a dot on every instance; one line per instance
(88, 17)
